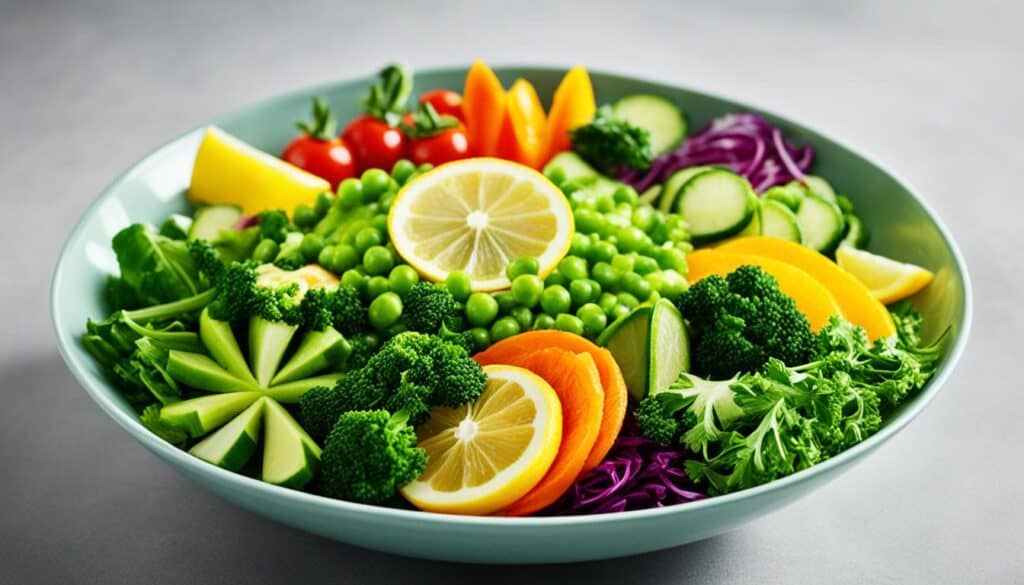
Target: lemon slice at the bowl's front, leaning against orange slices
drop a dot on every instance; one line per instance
(485, 456)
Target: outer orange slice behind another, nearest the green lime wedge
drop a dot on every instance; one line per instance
(613, 385)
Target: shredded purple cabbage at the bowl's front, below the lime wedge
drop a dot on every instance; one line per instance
(637, 475)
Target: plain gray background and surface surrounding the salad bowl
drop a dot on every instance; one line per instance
(934, 91)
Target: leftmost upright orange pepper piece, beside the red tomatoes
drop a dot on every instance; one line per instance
(484, 106)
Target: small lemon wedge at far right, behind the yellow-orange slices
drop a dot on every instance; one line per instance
(888, 280)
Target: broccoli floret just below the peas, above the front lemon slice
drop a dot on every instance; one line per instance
(412, 372)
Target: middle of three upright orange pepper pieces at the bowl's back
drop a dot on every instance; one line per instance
(524, 137)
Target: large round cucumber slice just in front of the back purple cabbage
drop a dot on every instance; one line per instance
(716, 204)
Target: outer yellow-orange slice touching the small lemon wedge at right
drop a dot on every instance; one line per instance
(857, 303)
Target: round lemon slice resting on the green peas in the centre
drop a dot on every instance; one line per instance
(478, 216)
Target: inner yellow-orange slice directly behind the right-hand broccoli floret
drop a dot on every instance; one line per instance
(814, 300)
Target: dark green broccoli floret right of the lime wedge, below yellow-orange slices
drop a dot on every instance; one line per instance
(743, 320)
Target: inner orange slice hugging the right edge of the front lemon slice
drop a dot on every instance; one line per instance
(576, 381)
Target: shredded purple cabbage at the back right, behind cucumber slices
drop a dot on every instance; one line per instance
(745, 143)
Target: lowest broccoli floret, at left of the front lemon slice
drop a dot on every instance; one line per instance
(369, 455)
